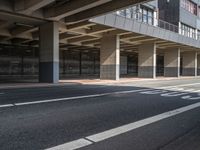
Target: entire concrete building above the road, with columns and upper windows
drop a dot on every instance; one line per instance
(48, 40)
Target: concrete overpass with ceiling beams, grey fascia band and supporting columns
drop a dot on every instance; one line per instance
(84, 24)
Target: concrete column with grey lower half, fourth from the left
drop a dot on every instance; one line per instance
(172, 63)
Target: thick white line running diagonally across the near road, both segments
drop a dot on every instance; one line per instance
(89, 140)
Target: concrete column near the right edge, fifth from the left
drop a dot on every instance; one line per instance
(189, 63)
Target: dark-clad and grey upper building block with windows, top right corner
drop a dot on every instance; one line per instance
(182, 13)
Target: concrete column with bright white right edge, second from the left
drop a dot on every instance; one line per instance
(110, 57)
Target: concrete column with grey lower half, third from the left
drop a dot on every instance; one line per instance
(147, 60)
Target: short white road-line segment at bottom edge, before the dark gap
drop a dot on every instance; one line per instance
(72, 145)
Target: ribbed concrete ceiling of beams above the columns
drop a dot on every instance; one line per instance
(19, 21)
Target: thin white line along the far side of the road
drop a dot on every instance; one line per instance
(71, 98)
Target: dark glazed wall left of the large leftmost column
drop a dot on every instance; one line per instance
(18, 60)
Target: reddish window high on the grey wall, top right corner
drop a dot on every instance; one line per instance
(189, 6)
